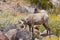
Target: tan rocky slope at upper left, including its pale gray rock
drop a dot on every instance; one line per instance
(14, 6)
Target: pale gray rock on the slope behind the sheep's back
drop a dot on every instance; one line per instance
(25, 9)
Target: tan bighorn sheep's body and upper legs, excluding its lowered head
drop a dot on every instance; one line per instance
(37, 19)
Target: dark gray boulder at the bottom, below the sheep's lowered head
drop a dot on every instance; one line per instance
(24, 34)
